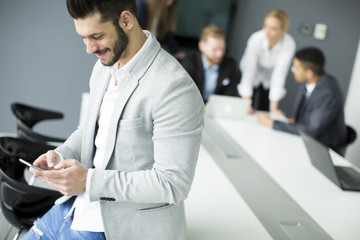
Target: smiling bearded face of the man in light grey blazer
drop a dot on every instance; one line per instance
(104, 39)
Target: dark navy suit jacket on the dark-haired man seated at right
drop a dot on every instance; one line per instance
(323, 114)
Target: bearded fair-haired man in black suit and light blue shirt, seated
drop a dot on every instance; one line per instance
(212, 72)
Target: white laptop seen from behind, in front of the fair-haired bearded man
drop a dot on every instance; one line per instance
(221, 106)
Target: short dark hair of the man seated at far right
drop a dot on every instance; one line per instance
(311, 58)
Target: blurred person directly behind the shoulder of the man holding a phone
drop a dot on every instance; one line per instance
(160, 18)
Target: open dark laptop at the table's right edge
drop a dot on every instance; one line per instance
(347, 178)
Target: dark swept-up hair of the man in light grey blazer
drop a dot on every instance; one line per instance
(109, 10)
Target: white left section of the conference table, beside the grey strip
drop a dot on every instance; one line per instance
(215, 210)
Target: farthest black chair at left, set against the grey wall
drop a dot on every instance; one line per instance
(27, 116)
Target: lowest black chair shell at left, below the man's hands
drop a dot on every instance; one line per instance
(21, 203)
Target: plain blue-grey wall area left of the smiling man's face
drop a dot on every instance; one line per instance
(43, 62)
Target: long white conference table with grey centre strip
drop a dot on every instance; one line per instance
(216, 208)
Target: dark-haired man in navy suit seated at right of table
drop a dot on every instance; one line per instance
(318, 107)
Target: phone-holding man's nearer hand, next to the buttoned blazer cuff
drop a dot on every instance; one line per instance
(68, 176)
